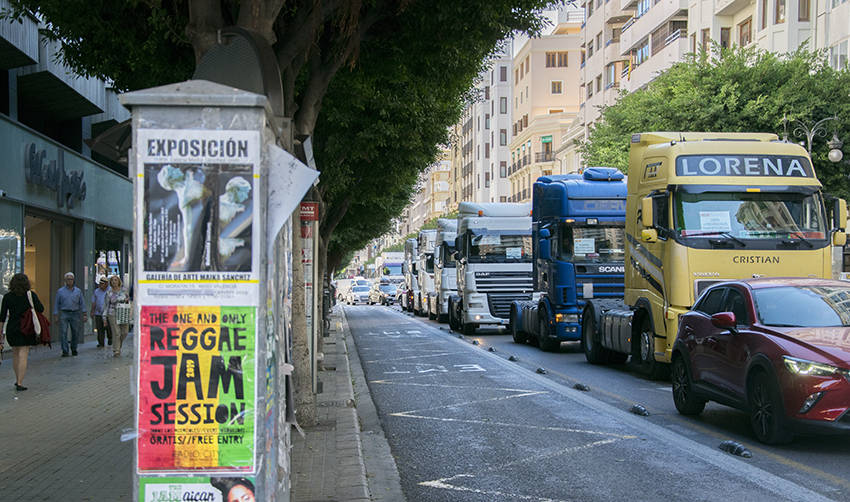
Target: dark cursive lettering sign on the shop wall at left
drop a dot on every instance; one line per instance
(69, 187)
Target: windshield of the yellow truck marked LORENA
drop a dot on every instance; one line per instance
(750, 215)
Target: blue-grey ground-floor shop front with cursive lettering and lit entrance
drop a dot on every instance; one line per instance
(59, 212)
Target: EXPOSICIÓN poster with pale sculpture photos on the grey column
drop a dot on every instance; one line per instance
(199, 216)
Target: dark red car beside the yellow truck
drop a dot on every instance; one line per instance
(777, 348)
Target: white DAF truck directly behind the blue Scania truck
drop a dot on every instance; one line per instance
(494, 263)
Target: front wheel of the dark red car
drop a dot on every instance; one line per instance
(767, 414)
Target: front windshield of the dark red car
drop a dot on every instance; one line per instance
(798, 306)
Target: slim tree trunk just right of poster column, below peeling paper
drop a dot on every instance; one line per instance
(302, 377)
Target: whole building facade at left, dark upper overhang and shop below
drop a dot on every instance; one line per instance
(62, 207)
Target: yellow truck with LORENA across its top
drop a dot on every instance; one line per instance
(703, 208)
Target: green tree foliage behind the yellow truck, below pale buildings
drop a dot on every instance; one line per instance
(744, 90)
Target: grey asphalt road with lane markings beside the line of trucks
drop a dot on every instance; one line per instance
(466, 424)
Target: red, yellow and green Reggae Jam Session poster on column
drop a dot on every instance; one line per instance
(196, 391)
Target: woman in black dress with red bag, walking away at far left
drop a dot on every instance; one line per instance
(15, 304)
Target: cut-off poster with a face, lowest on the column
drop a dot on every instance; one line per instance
(200, 489)
